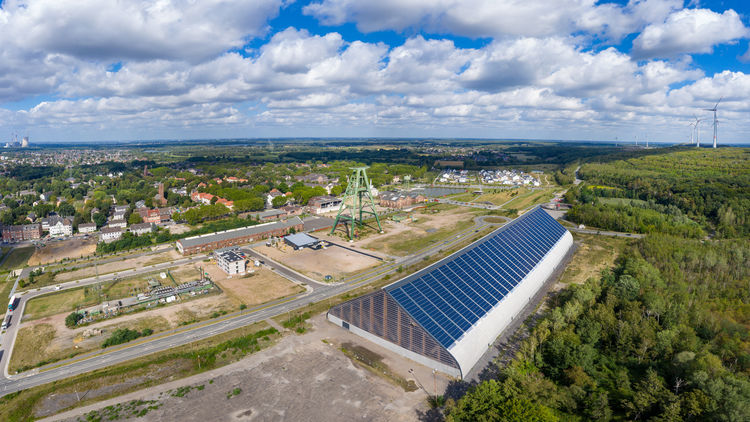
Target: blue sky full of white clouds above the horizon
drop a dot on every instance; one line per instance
(90, 70)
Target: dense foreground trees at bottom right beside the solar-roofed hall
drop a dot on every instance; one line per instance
(663, 336)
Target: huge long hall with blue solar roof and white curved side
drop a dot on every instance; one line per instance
(447, 315)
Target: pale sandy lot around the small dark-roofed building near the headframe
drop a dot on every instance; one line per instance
(334, 261)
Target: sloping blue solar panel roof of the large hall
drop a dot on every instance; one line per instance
(448, 298)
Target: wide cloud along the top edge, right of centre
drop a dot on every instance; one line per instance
(494, 18)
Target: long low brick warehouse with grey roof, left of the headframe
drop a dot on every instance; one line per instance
(234, 237)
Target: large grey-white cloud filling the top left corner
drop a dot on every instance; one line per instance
(134, 29)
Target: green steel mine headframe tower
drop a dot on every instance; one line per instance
(357, 201)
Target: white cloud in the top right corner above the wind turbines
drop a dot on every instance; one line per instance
(689, 31)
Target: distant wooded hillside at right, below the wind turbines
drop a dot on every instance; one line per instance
(711, 187)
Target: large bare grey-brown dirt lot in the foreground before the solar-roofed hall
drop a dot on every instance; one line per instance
(302, 378)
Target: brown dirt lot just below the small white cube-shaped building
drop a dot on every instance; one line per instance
(260, 287)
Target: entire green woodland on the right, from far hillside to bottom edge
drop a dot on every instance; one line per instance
(664, 335)
